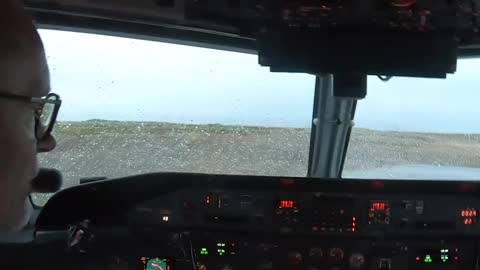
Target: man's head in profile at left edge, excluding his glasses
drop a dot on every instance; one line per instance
(23, 73)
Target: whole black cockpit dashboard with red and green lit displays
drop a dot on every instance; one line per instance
(191, 221)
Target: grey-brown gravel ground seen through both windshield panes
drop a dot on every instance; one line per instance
(114, 149)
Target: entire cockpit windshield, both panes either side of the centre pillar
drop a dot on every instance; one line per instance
(134, 106)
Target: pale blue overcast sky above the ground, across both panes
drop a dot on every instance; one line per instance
(101, 77)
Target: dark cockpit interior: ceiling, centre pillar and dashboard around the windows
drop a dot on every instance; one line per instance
(174, 221)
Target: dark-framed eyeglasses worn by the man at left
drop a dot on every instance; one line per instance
(45, 110)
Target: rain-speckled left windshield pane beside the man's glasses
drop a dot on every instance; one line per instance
(134, 106)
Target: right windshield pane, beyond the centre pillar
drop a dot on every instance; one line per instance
(416, 128)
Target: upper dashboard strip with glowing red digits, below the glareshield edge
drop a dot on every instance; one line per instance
(312, 213)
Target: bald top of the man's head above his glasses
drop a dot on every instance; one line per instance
(23, 66)
